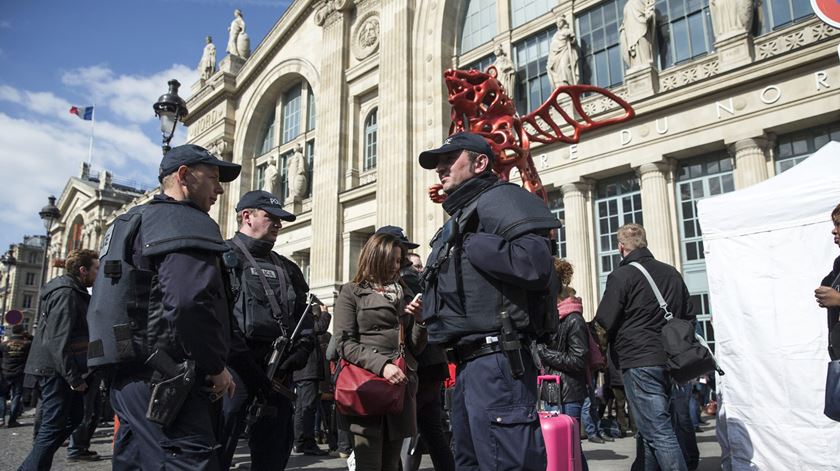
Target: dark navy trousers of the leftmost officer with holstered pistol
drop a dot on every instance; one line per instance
(189, 443)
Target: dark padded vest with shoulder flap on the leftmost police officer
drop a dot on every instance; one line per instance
(125, 313)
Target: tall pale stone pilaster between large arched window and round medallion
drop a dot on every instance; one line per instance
(332, 138)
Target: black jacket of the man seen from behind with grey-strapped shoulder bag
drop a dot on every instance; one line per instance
(630, 313)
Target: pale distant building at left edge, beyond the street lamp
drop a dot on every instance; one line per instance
(19, 283)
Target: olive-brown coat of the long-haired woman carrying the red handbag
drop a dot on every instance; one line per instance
(367, 330)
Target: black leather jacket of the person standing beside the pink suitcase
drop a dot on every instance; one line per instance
(567, 355)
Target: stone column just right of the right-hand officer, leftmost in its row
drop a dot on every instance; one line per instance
(577, 198)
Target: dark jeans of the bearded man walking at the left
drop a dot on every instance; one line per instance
(62, 410)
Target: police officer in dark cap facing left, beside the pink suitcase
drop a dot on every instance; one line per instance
(489, 293)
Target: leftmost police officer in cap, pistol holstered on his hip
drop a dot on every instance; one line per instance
(162, 319)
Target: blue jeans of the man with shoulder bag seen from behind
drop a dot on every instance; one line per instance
(648, 391)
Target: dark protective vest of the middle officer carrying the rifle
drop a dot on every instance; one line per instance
(252, 309)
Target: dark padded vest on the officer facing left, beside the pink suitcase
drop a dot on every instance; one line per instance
(461, 300)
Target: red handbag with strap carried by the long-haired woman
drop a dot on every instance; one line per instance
(358, 392)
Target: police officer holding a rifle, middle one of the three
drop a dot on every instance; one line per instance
(271, 297)
